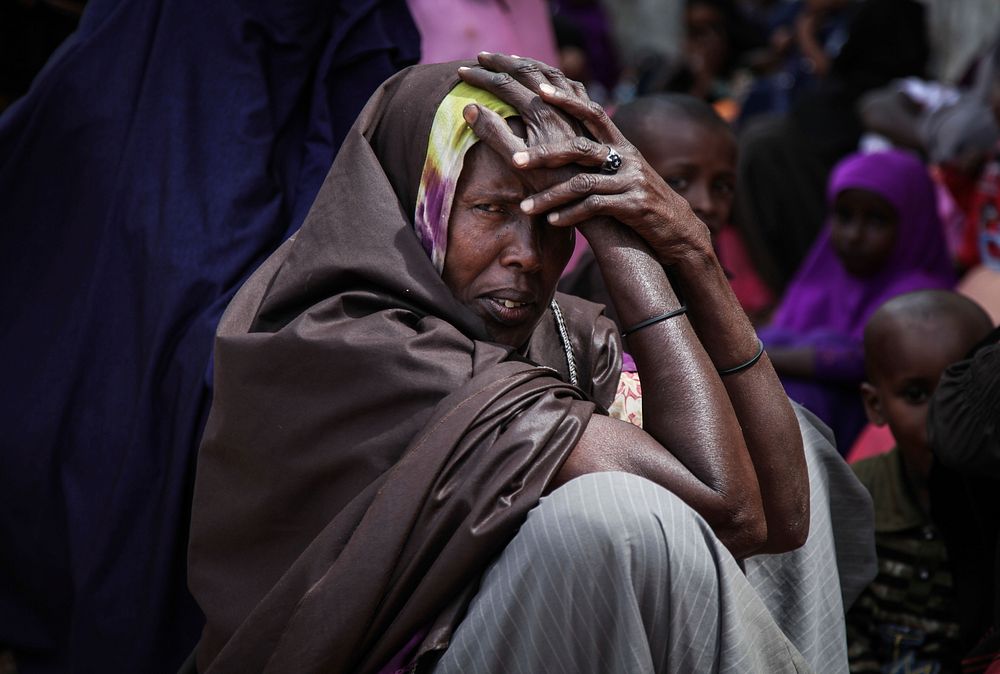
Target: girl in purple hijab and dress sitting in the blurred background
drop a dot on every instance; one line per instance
(883, 238)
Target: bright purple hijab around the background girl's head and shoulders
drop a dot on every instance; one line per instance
(823, 297)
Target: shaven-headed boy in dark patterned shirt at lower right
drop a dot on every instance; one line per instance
(906, 620)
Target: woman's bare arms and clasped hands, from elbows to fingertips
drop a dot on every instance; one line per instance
(715, 441)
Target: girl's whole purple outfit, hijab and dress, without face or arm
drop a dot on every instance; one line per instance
(826, 308)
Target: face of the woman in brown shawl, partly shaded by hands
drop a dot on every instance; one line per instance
(500, 262)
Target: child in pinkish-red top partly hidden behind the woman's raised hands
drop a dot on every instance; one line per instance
(694, 151)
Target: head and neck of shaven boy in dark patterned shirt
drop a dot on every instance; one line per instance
(910, 359)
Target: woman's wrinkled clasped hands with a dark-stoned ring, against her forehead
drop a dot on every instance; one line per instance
(634, 196)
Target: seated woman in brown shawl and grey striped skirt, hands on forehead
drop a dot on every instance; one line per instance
(407, 464)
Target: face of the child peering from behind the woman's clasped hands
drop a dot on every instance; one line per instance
(698, 162)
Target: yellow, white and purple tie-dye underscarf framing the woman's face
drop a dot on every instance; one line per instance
(449, 140)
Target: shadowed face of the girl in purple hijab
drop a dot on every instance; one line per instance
(863, 231)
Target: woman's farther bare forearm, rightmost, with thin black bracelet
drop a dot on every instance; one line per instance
(768, 422)
